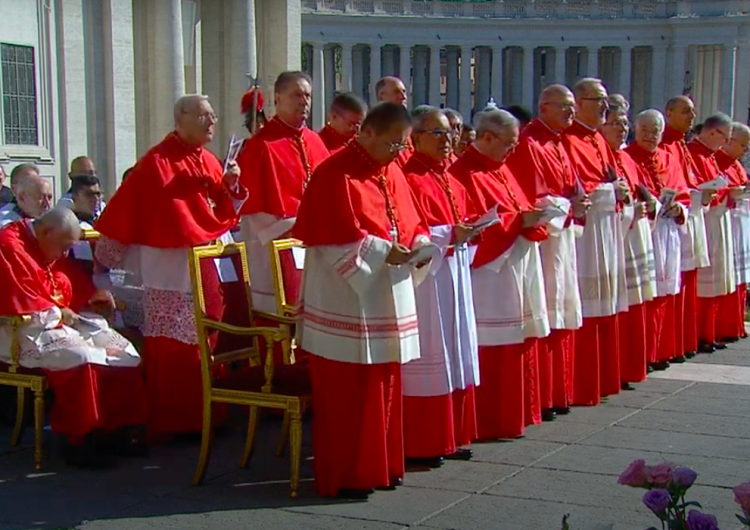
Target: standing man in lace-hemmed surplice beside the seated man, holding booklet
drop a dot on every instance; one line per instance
(176, 197)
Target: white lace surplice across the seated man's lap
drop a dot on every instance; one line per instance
(46, 343)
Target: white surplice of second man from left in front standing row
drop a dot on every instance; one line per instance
(448, 334)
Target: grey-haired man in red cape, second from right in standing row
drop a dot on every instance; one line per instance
(718, 279)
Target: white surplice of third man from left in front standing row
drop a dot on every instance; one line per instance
(509, 297)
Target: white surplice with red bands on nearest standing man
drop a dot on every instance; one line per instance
(356, 308)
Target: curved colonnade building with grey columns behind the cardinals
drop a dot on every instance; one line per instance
(458, 54)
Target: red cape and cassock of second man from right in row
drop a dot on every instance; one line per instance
(707, 168)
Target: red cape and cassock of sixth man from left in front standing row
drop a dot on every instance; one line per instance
(633, 326)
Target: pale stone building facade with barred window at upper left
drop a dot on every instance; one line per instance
(100, 77)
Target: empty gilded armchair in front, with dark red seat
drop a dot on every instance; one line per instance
(260, 386)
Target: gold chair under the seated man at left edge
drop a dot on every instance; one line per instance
(23, 380)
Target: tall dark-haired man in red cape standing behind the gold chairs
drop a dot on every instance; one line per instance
(277, 164)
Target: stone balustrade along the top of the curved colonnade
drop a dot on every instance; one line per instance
(530, 8)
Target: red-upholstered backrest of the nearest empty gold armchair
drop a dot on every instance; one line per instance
(219, 276)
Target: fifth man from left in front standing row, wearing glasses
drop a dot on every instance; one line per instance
(601, 251)
